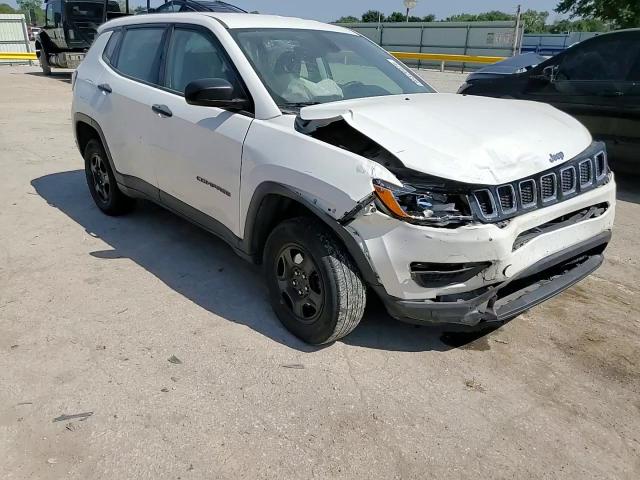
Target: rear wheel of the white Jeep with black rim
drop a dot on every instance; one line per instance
(102, 183)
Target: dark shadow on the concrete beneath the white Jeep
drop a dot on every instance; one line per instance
(204, 269)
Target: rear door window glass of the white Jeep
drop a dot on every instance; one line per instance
(140, 53)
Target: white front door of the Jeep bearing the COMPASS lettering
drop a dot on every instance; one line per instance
(199, 149)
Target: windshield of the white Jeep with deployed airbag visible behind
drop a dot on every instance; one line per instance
(306, 67)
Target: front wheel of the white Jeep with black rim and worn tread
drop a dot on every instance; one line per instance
(314, 287)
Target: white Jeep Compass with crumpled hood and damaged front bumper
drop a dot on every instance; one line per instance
(314, 152)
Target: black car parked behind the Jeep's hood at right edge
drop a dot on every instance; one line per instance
(597, 81)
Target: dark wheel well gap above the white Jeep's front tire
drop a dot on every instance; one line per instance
(273, 209)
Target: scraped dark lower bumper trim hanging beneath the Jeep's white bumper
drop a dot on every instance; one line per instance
(503, 301)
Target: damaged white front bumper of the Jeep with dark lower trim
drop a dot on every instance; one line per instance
(520, 275)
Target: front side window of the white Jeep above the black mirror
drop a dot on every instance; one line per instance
(194, 55)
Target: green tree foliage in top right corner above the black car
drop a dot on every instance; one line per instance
(622, 13)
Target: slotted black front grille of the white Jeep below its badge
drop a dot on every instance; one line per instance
(584, 172)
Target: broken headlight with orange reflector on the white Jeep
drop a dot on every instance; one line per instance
(425, 203)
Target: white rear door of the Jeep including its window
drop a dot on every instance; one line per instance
(130, 84)
